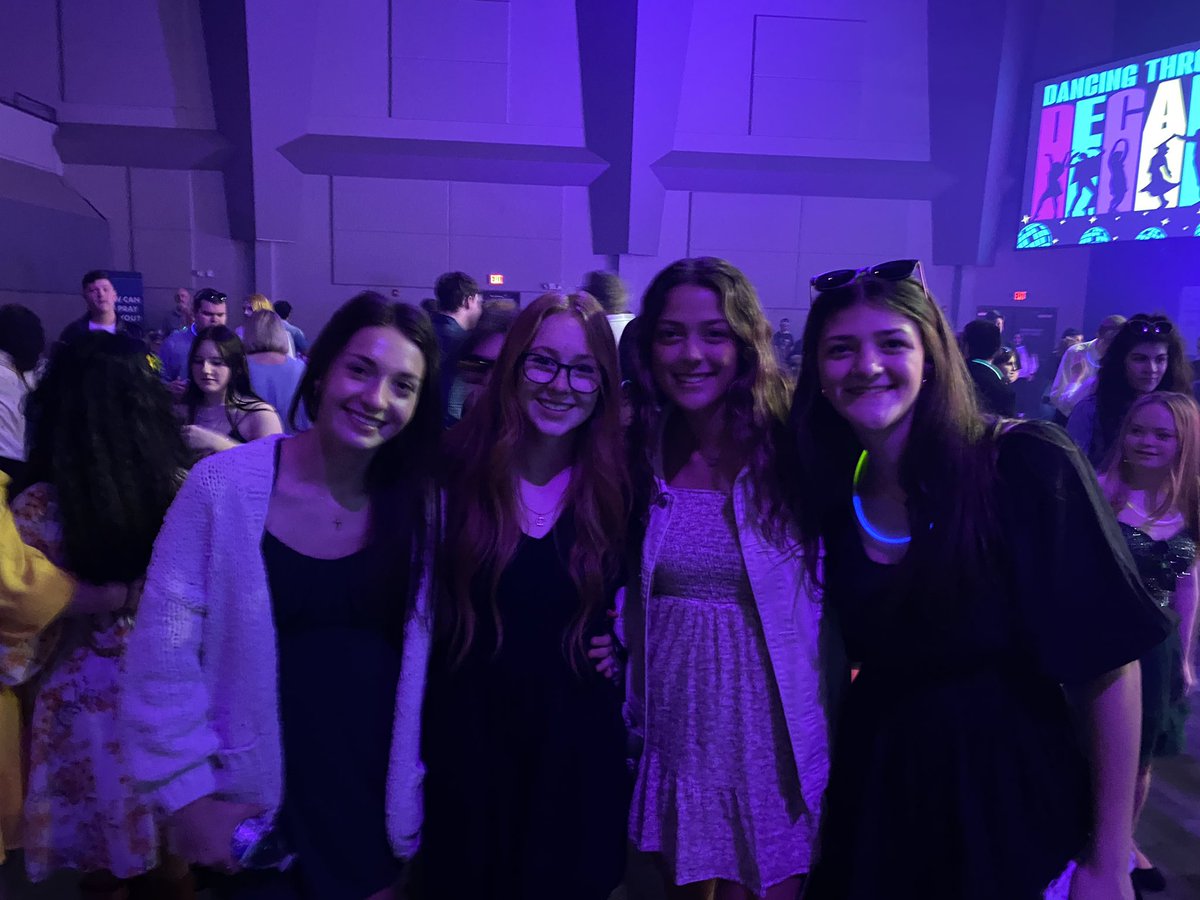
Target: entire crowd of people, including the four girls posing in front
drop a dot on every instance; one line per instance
(469, 599)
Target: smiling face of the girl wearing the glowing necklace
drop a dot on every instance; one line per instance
(871, 365)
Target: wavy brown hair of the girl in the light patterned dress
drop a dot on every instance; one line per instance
(757, 405)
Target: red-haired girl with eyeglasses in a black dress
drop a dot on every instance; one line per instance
(526, 788)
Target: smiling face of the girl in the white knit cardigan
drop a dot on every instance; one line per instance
(371, 389)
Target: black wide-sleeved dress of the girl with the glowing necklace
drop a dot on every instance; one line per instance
(957, 773)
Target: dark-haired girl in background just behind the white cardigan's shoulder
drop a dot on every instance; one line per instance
(220, 409)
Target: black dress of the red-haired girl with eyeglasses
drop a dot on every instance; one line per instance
(526, 787)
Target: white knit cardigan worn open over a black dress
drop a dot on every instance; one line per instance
(201, 700)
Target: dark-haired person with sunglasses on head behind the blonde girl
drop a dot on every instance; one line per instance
(1147, 356)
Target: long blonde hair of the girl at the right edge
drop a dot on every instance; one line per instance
(1183, 491)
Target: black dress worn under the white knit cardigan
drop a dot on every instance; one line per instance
(339, 661)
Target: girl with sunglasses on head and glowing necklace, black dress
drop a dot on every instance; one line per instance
(958, 773)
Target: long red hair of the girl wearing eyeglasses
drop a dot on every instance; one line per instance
(483, 511)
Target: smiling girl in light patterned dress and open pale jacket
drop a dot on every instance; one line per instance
(725, 692)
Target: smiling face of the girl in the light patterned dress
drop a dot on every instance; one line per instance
(694, 356)
